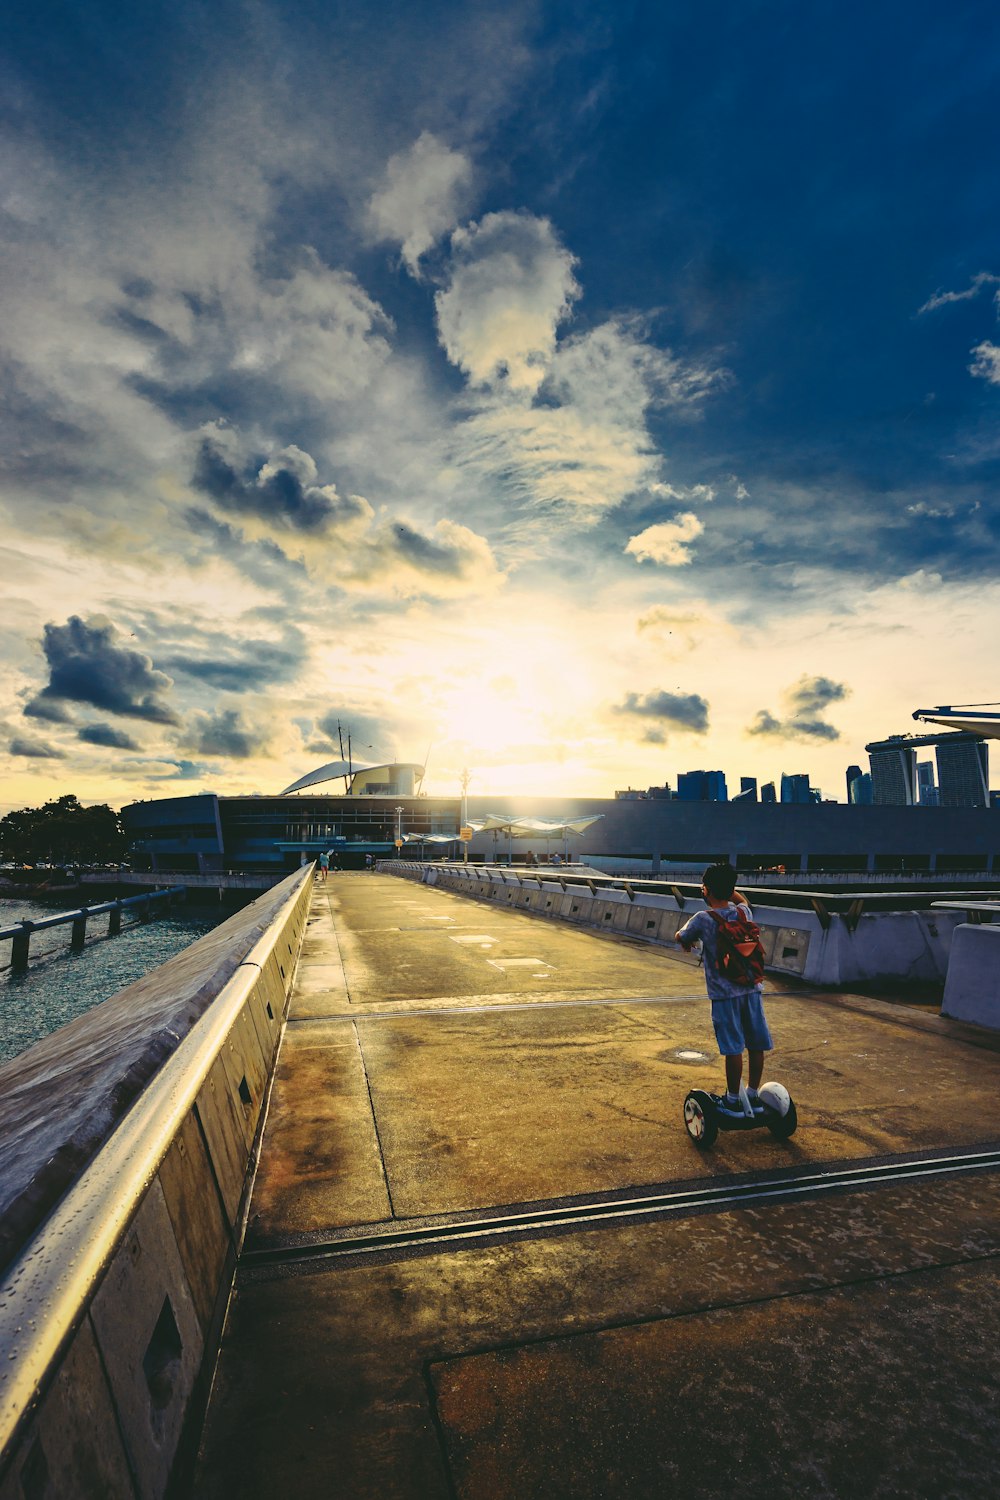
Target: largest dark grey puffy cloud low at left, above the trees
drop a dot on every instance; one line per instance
(88, 665)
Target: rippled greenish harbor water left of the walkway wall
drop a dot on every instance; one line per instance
(61, 985)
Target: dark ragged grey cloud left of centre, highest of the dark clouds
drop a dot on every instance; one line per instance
(283, 491)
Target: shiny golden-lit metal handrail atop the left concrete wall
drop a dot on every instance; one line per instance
(47, 1292)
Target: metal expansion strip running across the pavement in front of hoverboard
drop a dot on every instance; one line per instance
(590, 1216)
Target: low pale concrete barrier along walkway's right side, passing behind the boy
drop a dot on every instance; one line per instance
(836, 952)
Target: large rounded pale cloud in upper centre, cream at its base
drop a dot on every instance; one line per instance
(510, 286)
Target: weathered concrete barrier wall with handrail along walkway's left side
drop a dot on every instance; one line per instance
(112, 1310)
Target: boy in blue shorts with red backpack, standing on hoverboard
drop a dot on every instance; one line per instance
(734, 970)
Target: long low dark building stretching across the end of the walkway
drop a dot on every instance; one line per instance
(278, 833)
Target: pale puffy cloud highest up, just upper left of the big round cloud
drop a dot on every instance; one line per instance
(425, 193)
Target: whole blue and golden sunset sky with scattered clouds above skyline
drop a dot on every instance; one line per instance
(573, 395)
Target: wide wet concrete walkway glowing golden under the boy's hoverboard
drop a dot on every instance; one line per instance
(485, 1261)
